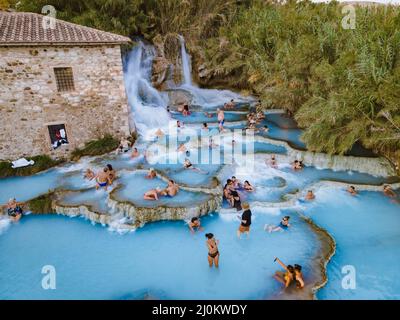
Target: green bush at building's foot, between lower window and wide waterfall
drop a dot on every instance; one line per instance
(96, 147)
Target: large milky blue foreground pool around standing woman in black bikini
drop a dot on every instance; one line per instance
(162, 259)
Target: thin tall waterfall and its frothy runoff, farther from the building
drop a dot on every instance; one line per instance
(207, 98)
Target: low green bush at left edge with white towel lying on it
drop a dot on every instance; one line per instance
(42, 162)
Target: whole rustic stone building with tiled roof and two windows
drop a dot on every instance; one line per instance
(58, 84)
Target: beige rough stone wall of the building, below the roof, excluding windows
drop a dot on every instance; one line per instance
(29, 100)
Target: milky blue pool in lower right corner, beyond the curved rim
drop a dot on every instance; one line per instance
(367, 234)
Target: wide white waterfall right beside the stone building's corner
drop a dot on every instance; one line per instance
(147, 106)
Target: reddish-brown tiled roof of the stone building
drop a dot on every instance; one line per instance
(25, 28)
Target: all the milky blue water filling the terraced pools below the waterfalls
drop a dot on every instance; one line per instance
(114, 266)
